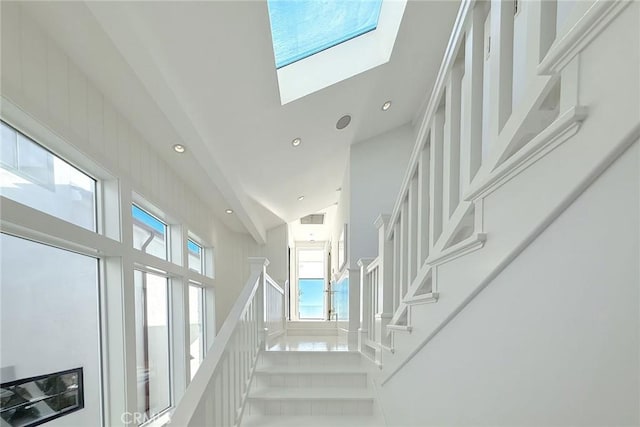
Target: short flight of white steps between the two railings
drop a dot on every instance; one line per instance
(309, 388)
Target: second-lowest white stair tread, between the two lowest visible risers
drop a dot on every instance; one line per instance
(299, 393)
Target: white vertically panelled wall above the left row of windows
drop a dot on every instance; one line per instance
(40, 78)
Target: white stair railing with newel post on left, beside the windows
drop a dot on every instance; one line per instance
(217, 394)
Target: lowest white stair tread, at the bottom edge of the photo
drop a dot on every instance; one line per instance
(311, 421)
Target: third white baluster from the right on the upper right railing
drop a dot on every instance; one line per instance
(471, 133)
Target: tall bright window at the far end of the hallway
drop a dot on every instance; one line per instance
(311, 284)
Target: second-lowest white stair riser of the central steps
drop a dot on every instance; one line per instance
(342, 380)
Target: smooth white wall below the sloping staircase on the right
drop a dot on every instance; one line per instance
(554, 339)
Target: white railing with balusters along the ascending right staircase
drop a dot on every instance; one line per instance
(491, 115)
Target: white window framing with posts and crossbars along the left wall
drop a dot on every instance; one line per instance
(111, 243)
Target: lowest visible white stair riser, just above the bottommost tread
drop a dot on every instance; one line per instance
(309, 407)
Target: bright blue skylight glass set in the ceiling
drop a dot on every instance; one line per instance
(301, 28)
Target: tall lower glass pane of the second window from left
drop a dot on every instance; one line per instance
(152, 343)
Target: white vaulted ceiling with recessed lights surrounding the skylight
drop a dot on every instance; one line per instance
(203, 74)
